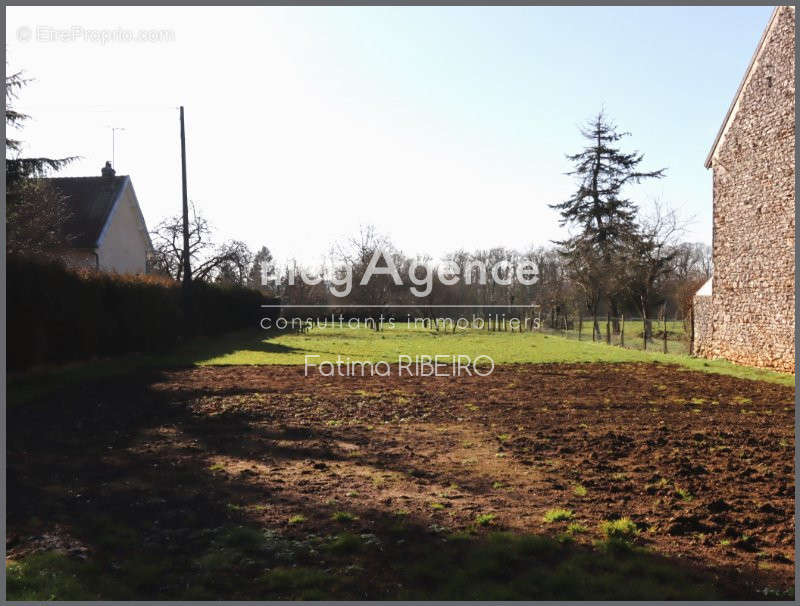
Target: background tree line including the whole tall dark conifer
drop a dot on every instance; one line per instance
(618, 258)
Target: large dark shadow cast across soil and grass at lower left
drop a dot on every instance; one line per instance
(119, 518)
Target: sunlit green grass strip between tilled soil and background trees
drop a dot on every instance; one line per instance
(259, 347)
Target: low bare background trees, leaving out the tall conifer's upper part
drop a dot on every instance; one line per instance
(558, 291)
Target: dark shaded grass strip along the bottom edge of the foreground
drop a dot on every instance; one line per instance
(248, 563)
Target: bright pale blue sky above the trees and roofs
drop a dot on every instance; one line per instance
(444, 127)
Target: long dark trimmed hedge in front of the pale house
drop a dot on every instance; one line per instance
(57, 315)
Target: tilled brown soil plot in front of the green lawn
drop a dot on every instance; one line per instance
(702, 463)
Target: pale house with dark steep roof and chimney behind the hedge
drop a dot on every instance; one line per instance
(106, 225)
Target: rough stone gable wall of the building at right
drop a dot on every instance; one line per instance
(746, 314)
